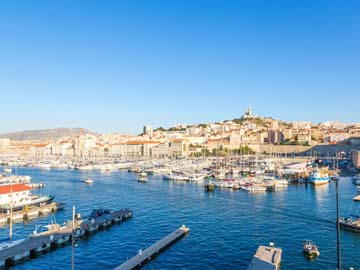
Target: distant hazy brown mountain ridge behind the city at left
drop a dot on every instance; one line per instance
(44, 134)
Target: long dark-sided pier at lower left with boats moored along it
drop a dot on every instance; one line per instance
(34, 246)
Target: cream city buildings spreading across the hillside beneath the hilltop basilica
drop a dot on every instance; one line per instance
(187, 140)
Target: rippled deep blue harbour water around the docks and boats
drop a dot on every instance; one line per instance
(226, 227)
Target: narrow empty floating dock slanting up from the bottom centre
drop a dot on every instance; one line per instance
(151, 252)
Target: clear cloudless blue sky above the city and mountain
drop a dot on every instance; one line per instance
(118, 65)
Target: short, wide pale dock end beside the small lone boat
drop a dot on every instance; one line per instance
(266, 258)
